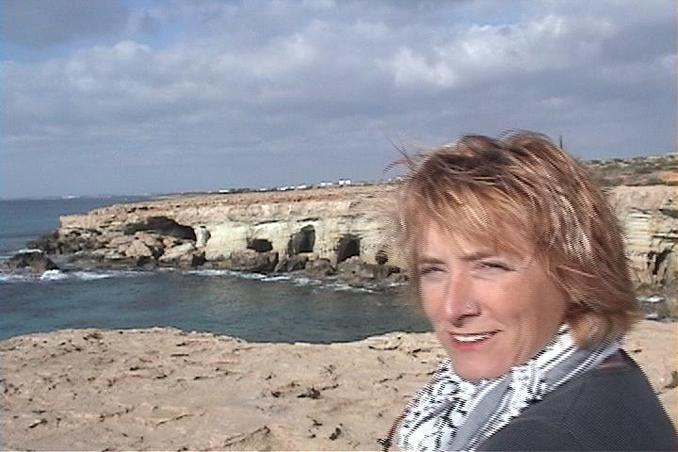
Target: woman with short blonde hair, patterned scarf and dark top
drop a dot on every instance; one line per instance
(519, 264)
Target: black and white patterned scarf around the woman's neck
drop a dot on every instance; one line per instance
(451, 413)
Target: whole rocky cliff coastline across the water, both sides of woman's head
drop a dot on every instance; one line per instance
(337, 233)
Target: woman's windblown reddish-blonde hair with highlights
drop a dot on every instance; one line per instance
(523, 188)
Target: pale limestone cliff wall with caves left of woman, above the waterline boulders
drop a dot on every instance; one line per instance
(333, 224)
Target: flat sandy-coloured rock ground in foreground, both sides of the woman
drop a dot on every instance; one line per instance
(164, 389)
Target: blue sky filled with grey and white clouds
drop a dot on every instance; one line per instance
(132, 97)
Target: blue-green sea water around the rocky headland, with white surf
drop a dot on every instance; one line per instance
(254, 307)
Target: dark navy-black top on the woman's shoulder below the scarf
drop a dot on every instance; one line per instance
(608, 408)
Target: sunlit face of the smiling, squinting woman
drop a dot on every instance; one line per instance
(490, 310)
